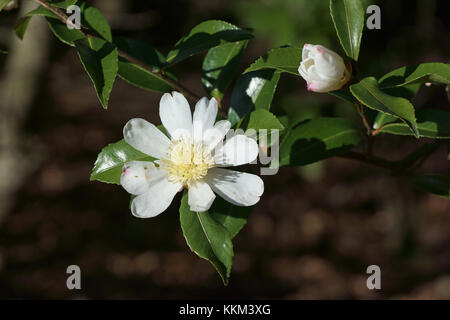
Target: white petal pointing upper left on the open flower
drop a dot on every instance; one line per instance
(145, 137)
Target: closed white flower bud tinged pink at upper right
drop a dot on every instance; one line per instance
(324, 70)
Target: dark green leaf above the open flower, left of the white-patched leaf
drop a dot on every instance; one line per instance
(219, 67)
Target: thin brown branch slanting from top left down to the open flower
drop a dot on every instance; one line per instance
(88, 33)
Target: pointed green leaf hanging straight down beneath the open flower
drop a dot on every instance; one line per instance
(208, 238)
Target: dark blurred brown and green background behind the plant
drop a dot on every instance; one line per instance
(312, 235)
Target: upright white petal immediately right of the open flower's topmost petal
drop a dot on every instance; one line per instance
(205, 114)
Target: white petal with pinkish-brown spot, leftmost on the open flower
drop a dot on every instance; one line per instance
(136, 176)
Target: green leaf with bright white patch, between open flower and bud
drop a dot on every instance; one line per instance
(253, 90)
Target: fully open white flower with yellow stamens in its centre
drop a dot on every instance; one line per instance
(192, 158)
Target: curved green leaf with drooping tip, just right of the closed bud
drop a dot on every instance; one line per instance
(368, 93)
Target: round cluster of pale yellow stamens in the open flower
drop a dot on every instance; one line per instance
(187, 161)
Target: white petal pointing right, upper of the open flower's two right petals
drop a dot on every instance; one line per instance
(237, 151)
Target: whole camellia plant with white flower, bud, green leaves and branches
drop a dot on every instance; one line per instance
(191, 152)
